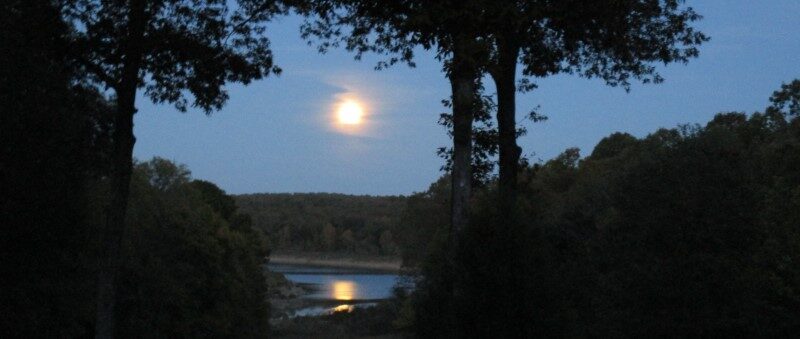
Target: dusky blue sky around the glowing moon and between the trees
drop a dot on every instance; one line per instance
(275, 135)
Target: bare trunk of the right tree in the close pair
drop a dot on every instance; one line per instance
(504, 76)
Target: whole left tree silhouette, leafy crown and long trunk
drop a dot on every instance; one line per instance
(171, 48)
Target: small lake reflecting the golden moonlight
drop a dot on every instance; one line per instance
(338, 289)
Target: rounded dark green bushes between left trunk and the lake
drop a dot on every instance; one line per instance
(189, 269)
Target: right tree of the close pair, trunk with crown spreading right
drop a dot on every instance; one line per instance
(613, 40)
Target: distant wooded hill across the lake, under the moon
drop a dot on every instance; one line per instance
(327, 222)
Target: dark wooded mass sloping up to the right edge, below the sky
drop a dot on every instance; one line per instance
(687, 232)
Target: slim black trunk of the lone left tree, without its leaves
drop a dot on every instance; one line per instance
(121, 169)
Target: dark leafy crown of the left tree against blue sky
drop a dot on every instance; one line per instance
(187, 47)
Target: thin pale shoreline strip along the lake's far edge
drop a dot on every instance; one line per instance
(386, 264)
